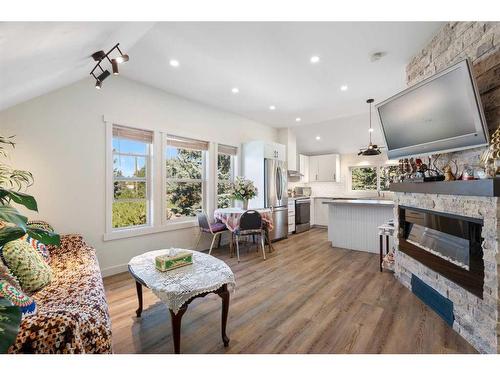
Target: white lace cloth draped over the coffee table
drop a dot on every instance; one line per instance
(179, 285)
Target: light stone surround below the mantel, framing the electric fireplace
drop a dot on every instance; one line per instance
(476, 319)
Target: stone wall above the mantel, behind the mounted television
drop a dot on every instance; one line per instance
(480, 42)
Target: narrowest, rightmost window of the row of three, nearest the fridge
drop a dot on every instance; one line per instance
(226, 156)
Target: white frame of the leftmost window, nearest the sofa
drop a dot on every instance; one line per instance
(120, 232)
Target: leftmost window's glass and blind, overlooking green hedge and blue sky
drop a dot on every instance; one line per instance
(131, 155)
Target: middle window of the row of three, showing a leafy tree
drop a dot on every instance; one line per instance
(185, 172)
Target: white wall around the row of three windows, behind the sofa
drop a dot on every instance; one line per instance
(61, 139)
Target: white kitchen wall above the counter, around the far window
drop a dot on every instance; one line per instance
(343, 188)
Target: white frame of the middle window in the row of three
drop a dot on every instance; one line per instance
(183, 221)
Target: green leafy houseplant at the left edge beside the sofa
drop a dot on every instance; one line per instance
(14, 225)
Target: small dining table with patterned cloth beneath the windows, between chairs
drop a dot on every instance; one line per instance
(230, 216)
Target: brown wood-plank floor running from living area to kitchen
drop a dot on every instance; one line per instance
(307, 297)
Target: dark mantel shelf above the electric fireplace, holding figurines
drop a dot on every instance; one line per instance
(478, 188)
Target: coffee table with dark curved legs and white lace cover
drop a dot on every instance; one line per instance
(178, 287)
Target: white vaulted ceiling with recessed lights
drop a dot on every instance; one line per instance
(269, 62)
